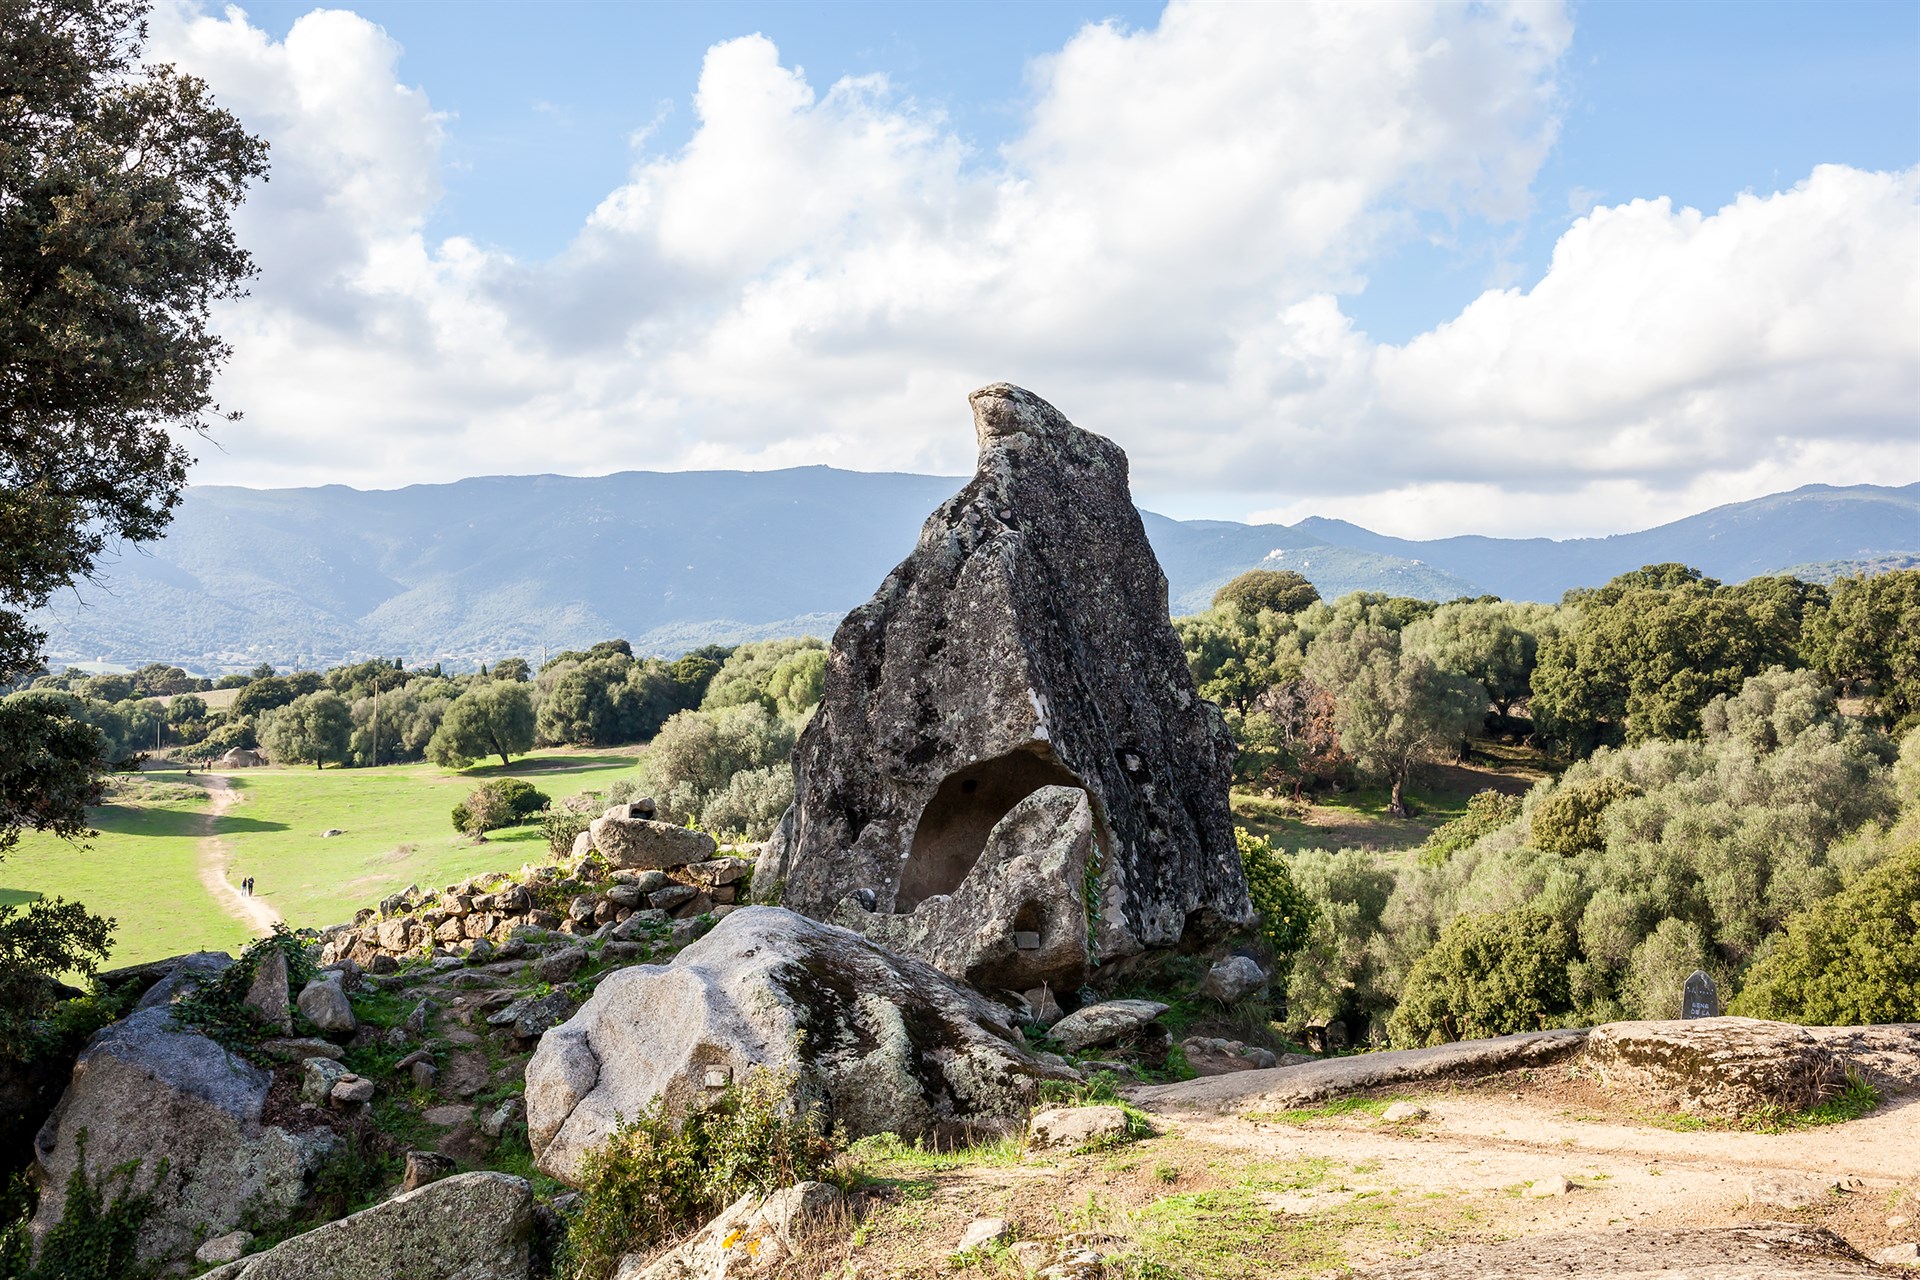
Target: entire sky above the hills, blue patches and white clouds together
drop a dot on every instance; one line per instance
(452, 160)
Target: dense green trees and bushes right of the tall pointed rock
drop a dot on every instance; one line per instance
(1742, 797)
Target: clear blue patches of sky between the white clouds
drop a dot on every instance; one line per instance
(1662, 99)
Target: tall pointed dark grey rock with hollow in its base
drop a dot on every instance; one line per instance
(1022, 646)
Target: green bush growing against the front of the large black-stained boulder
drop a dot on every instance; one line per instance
(658, 1175)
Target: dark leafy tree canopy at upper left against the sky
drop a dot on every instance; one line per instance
(118, 185)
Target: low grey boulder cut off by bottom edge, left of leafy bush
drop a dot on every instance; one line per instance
(469, 1227)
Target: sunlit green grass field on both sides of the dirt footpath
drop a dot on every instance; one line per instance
(143, 866)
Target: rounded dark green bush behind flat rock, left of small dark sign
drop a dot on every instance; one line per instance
(1489, 976)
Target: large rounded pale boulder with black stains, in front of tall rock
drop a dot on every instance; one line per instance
(886, 1043)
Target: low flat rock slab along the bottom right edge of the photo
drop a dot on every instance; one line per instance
(1771, 1250)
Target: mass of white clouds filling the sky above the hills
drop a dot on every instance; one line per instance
(821, 275)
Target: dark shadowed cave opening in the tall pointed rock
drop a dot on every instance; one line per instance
(961, 817)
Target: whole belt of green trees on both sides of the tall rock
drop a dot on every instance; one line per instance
(1733, 788)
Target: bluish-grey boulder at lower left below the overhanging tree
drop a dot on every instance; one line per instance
(155, 1093)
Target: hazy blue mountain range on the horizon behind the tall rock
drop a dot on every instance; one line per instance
(517, 565)
